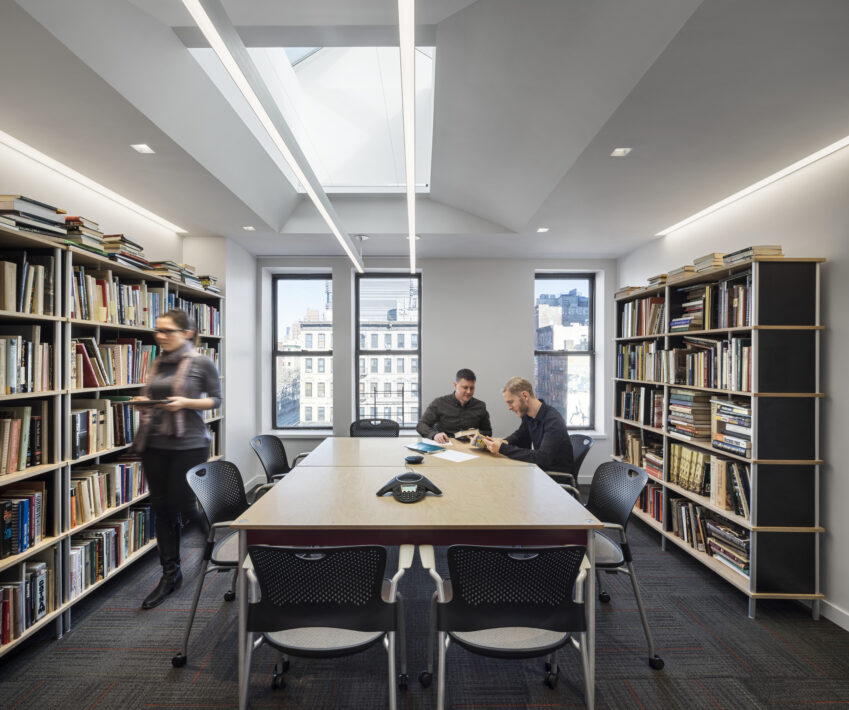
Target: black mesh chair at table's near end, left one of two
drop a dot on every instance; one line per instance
(325, 602)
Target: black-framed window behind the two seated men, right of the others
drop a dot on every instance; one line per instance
(564, 353)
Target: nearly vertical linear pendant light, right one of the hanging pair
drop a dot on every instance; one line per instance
(407, 41)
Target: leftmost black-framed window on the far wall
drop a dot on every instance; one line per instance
(302, 321)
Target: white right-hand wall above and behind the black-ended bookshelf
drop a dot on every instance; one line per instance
(808, 214)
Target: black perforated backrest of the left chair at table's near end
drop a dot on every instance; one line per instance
(339, 587)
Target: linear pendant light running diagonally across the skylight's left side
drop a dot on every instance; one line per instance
(213, 22)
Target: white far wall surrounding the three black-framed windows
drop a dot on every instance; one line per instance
(476, 313)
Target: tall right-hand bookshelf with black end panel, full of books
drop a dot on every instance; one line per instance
(743, 375)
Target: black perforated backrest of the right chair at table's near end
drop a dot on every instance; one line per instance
(507, 586)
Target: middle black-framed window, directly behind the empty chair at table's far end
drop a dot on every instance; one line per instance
(388, 304)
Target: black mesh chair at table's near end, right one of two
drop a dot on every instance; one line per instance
(507, 602)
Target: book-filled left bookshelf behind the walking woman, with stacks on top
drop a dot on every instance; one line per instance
(74, 509)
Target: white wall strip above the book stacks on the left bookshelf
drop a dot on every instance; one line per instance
(21, 175)
